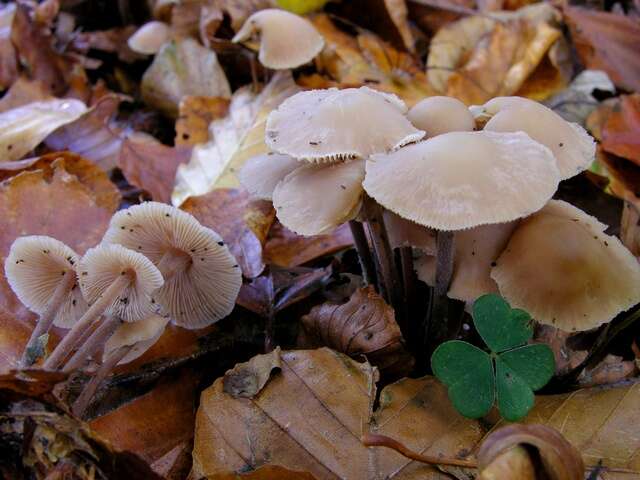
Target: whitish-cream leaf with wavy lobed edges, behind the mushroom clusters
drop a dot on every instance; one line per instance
(232, 140)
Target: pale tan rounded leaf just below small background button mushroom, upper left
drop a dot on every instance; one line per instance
(183, 67)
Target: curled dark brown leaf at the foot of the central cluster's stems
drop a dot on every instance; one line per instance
(365, 325)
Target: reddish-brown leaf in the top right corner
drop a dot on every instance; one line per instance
(607, 41)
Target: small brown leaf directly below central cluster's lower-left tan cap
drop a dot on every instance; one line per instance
(287, 249)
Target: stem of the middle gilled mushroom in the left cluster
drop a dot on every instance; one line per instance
(98, 308)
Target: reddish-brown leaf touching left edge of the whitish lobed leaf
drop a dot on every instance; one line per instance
(151, 165)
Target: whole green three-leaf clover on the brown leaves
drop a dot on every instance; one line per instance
(510, 372)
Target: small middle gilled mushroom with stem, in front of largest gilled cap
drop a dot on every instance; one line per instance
(115, 281)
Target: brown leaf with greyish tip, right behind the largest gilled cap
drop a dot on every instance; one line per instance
(243, 224)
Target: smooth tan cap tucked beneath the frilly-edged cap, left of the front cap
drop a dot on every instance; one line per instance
(315, 199)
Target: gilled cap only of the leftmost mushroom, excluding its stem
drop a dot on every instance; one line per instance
(35, 267)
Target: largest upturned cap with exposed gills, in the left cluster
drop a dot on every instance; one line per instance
(204, 286)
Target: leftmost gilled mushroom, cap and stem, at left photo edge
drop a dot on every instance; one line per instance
(41, 272)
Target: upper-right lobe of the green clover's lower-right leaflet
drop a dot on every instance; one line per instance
(534, 364)
